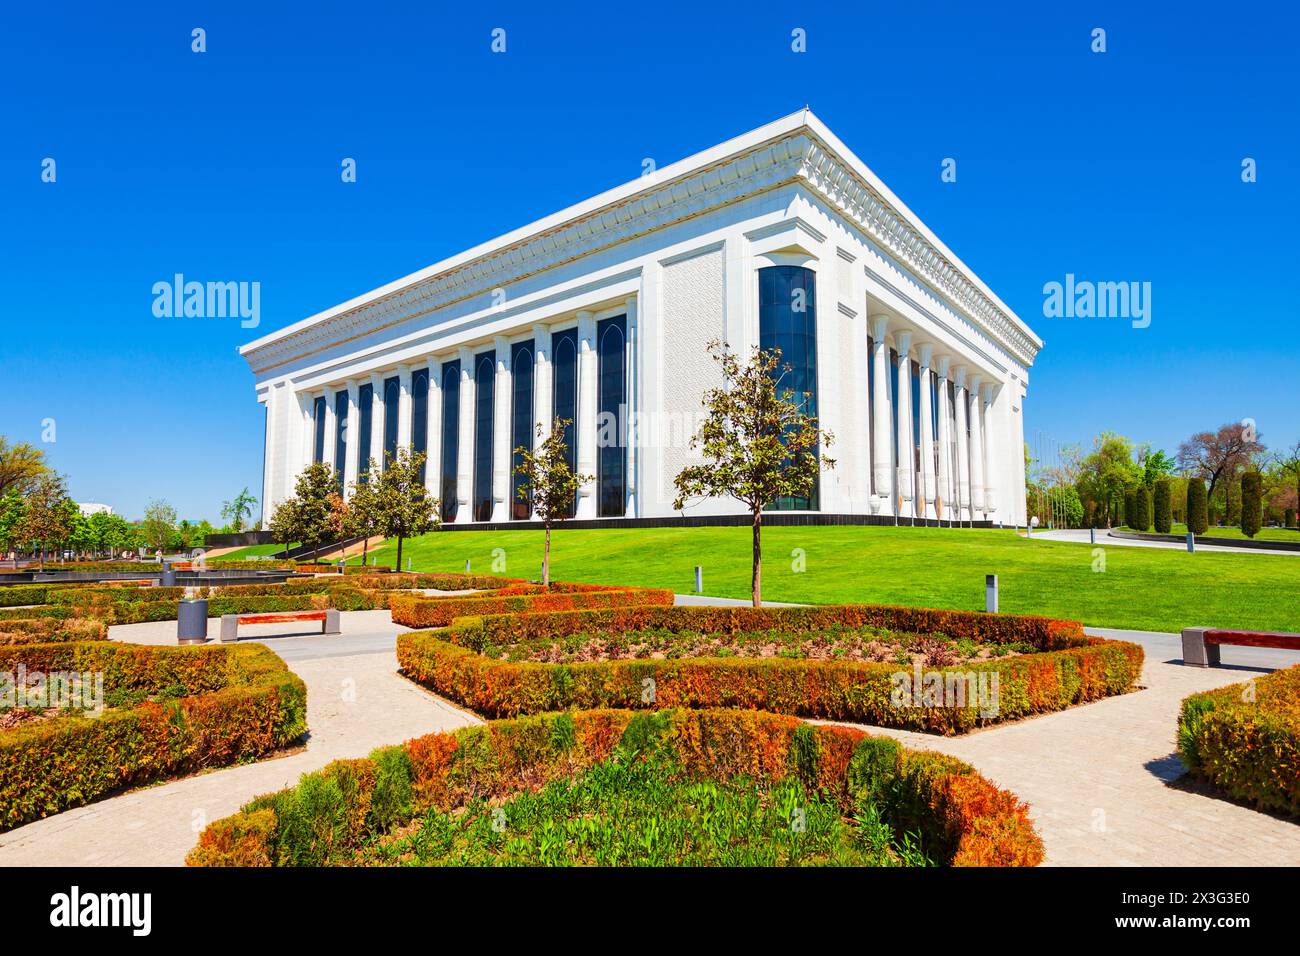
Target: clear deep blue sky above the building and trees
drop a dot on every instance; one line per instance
(226, 166)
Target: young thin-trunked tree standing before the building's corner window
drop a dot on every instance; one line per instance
(759, 444)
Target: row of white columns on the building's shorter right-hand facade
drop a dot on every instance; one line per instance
(956, 482)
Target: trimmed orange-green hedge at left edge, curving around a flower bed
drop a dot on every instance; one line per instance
(241, 703)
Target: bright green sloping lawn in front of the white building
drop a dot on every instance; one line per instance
(1143, 589)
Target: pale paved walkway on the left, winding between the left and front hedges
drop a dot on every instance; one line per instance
(356, 703)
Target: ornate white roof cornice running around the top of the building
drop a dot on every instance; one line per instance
(798, 149)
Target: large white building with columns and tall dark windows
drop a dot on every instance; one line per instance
(603, 313)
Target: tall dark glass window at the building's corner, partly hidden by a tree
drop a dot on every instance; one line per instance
(787, 321)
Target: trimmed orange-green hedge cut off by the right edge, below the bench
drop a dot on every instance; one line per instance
(1246, 741)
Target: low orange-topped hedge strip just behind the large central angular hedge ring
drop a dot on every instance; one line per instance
(414, 611)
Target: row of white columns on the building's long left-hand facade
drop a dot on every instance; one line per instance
(502, 451)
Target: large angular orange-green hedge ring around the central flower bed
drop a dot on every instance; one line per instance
(1071, 668)
